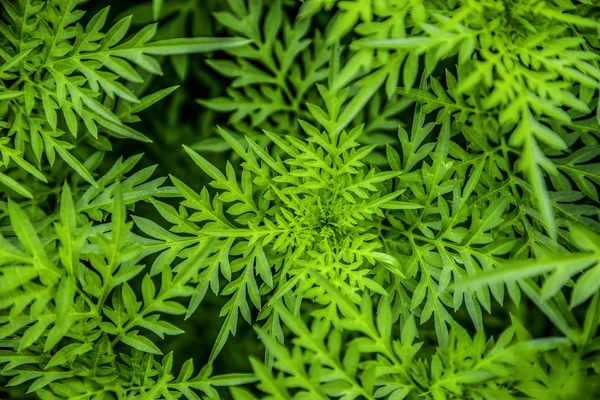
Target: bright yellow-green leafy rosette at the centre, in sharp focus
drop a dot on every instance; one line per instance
(313, 206)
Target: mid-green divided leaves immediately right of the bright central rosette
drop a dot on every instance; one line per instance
(458, 230)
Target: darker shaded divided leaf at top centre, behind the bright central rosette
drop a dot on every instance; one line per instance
(275, 76)
